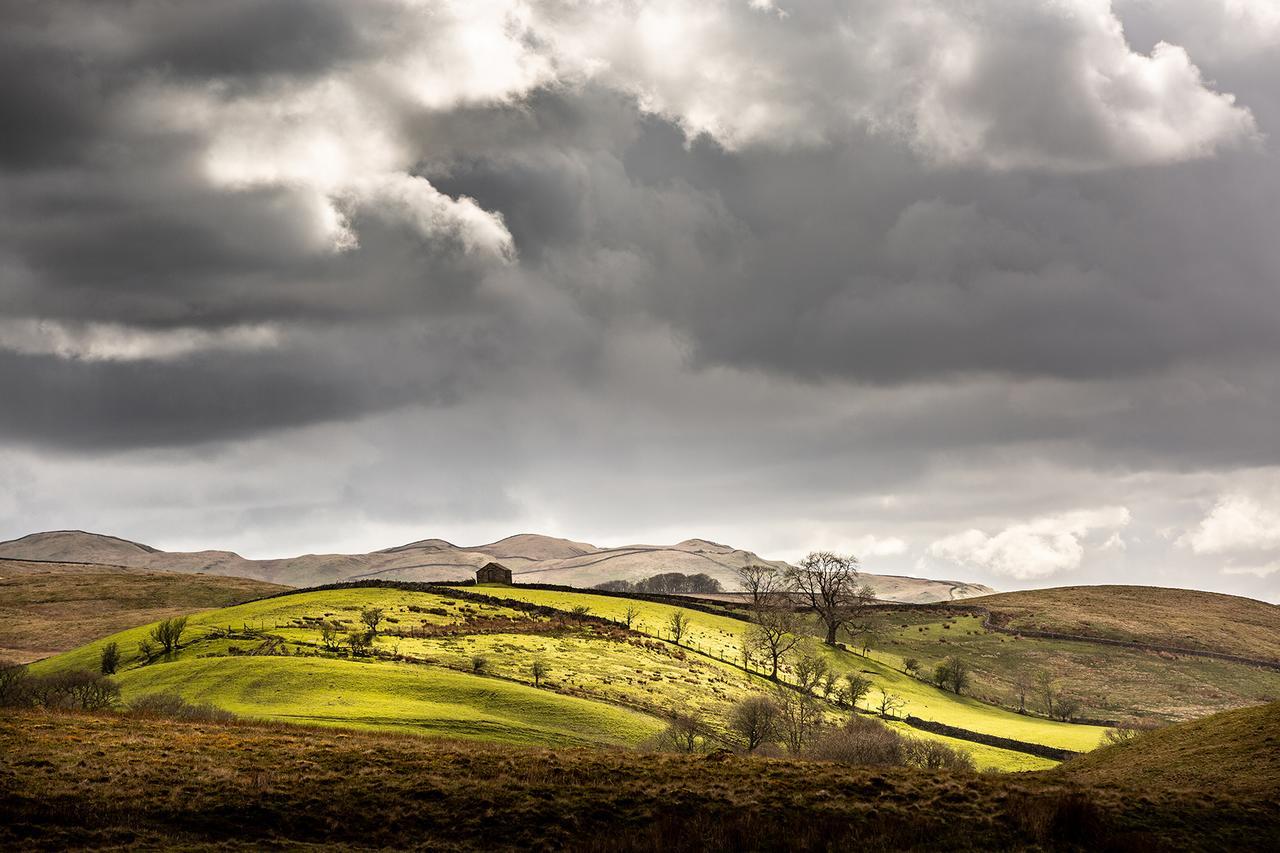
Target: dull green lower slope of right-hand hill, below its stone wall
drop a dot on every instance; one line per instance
(1112, 683)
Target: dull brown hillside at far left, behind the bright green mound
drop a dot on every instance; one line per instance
(49, 608)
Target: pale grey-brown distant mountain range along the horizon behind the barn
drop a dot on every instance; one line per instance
(532, 558)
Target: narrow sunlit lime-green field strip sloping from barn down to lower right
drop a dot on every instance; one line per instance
(712, 636)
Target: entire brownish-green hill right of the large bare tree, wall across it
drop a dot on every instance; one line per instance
(1107, 649)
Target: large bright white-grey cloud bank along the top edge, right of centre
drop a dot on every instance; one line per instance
(1041, 85)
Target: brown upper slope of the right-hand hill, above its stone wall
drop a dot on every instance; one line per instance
(1154, 615)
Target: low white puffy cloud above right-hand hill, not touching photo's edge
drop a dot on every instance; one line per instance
(1036, 549)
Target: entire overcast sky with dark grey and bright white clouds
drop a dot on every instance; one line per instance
(984, 290)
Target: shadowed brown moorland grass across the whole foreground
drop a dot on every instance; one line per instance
(77, 781)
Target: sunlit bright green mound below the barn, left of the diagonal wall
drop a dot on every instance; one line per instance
(598, 685)
